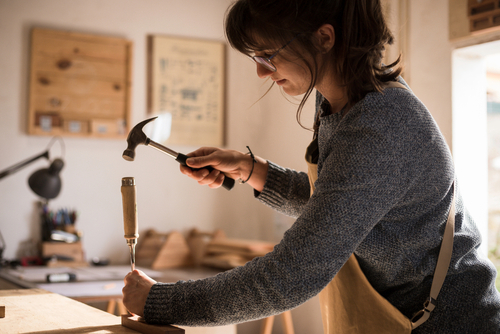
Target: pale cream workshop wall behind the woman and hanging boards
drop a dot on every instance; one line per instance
(167, 200)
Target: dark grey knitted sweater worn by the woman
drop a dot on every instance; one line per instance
(383, 192)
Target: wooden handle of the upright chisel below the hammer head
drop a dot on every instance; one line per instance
(129, 208)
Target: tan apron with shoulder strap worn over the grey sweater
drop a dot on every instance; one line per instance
(349, 304)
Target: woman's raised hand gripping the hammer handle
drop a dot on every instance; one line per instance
(235, 164)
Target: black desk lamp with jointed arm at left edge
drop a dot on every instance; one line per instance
(45, 182)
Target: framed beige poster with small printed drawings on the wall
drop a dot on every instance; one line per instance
(186, 87)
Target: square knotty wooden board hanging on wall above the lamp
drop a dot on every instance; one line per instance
(79, 84)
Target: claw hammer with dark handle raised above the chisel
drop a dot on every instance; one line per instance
(136, 136)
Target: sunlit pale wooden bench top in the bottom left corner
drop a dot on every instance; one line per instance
(36, 310)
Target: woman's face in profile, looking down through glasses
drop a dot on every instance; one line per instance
(292, 74)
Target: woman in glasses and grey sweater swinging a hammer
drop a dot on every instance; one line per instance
(384, 189)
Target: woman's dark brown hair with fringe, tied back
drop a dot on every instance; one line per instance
(360, 36)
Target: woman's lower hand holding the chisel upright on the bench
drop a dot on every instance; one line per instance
(136, 290)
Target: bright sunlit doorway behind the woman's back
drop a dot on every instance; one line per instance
(476, 137)
